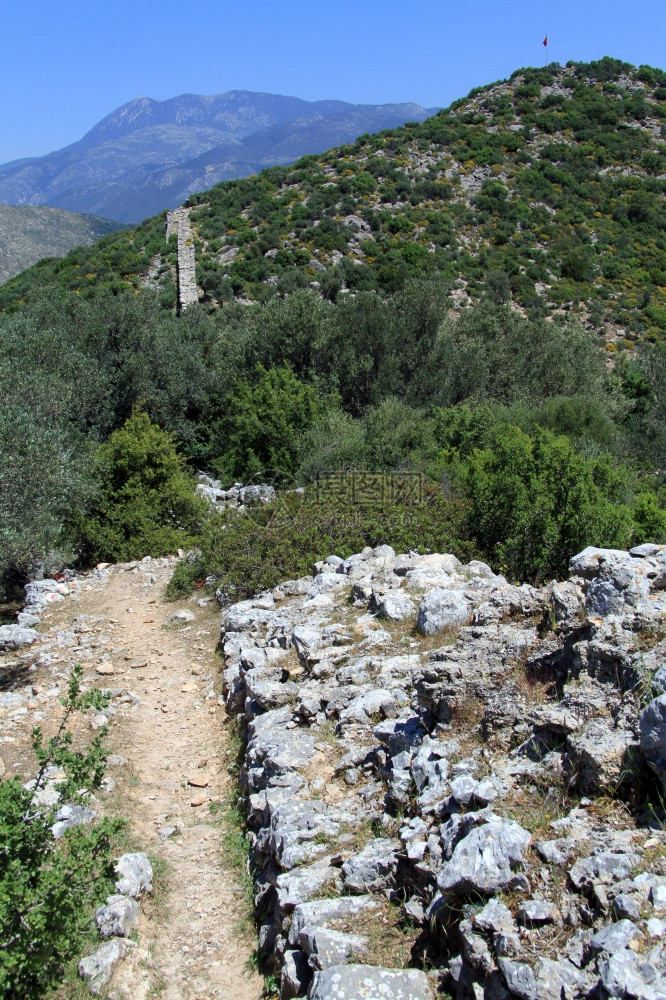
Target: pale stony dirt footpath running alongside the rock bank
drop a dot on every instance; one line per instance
(172, 746)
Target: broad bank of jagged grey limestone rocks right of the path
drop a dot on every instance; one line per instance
(430, 744)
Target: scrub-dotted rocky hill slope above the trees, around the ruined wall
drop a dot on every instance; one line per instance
(549, 185)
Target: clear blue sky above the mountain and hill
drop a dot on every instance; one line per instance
(65, 65)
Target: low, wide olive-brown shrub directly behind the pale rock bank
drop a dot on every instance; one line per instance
(281, 540)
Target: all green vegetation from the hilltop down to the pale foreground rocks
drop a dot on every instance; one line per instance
(480, 299)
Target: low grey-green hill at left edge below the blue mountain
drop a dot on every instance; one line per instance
(30, 232)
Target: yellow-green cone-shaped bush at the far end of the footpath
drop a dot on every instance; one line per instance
(146, 504)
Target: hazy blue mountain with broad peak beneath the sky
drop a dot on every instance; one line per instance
(150, 155)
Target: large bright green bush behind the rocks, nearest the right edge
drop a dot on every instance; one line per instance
(535, 502)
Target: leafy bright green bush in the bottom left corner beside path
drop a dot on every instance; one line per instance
(48, 887)
